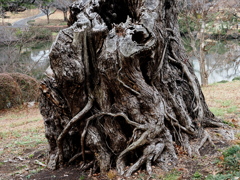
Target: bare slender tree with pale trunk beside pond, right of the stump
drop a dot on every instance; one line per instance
(204, 25)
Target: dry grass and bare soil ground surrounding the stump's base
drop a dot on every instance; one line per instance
(23, 147)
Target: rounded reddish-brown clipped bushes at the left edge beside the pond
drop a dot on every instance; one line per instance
(16, 88)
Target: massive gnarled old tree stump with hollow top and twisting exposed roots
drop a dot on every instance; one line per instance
(122, 92)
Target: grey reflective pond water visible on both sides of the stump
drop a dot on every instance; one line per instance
(221, 67)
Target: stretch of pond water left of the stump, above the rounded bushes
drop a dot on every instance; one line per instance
(32, 60)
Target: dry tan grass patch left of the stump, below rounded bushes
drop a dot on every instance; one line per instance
(21, 138)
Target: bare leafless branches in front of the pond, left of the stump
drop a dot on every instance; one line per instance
(17, 47)
